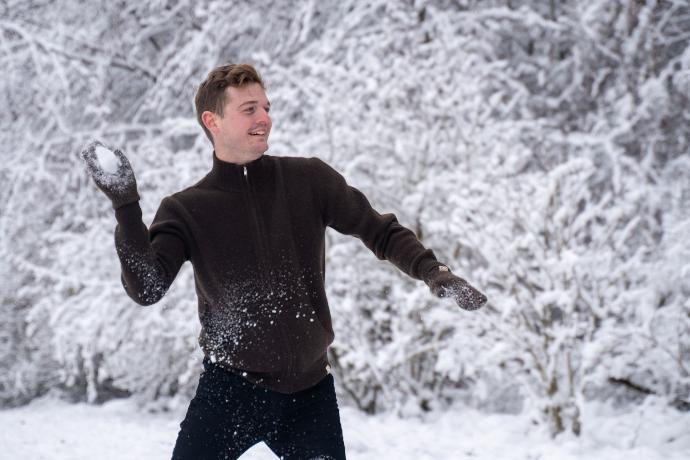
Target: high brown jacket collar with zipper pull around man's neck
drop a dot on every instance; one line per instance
(236, 177)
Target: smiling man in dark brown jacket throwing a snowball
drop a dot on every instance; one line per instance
(253, 229)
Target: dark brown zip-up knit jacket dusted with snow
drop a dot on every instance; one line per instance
(254, 234)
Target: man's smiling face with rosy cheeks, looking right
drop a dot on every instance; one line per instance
(241, 134)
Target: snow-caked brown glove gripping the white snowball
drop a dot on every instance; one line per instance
(120, 185)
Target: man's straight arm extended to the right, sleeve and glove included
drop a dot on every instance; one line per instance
(348, 211)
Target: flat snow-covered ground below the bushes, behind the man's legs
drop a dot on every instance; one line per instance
(51, 429)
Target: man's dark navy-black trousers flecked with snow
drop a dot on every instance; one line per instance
(228, 415)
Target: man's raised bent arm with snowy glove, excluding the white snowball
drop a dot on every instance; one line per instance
(150, 260)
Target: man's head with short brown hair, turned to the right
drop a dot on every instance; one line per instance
(232, 108)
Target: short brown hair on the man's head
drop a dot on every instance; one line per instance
(211, 93)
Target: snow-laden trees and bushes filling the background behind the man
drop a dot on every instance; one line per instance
(541, 148)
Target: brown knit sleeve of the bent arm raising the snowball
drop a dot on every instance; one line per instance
(150, 258)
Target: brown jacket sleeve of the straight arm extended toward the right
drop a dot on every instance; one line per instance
(347, 210)
